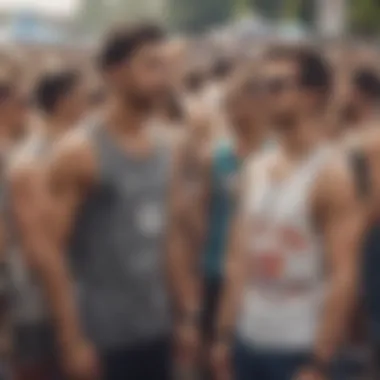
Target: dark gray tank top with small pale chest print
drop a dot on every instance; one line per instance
(118, 247)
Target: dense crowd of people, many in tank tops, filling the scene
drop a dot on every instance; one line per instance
(166, 216)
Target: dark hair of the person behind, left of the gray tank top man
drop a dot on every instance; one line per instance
(52, 87)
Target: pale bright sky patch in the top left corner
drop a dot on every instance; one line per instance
(57, 7)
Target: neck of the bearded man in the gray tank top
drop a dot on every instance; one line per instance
(124, 118)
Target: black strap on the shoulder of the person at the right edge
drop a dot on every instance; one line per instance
(361, 170)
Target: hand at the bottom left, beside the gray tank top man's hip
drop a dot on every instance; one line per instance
(80, 361)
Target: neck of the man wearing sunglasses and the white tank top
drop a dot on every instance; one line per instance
(298, 142)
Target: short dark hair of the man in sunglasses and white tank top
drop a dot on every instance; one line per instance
(314, 71)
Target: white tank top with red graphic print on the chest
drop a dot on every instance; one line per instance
(285, 289)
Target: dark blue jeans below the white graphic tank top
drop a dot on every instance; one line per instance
(250, 363)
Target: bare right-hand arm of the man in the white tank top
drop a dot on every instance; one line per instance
(343, 222)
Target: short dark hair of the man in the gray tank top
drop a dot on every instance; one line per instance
(121, 43)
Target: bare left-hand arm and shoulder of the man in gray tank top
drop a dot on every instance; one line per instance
(31, 200)
